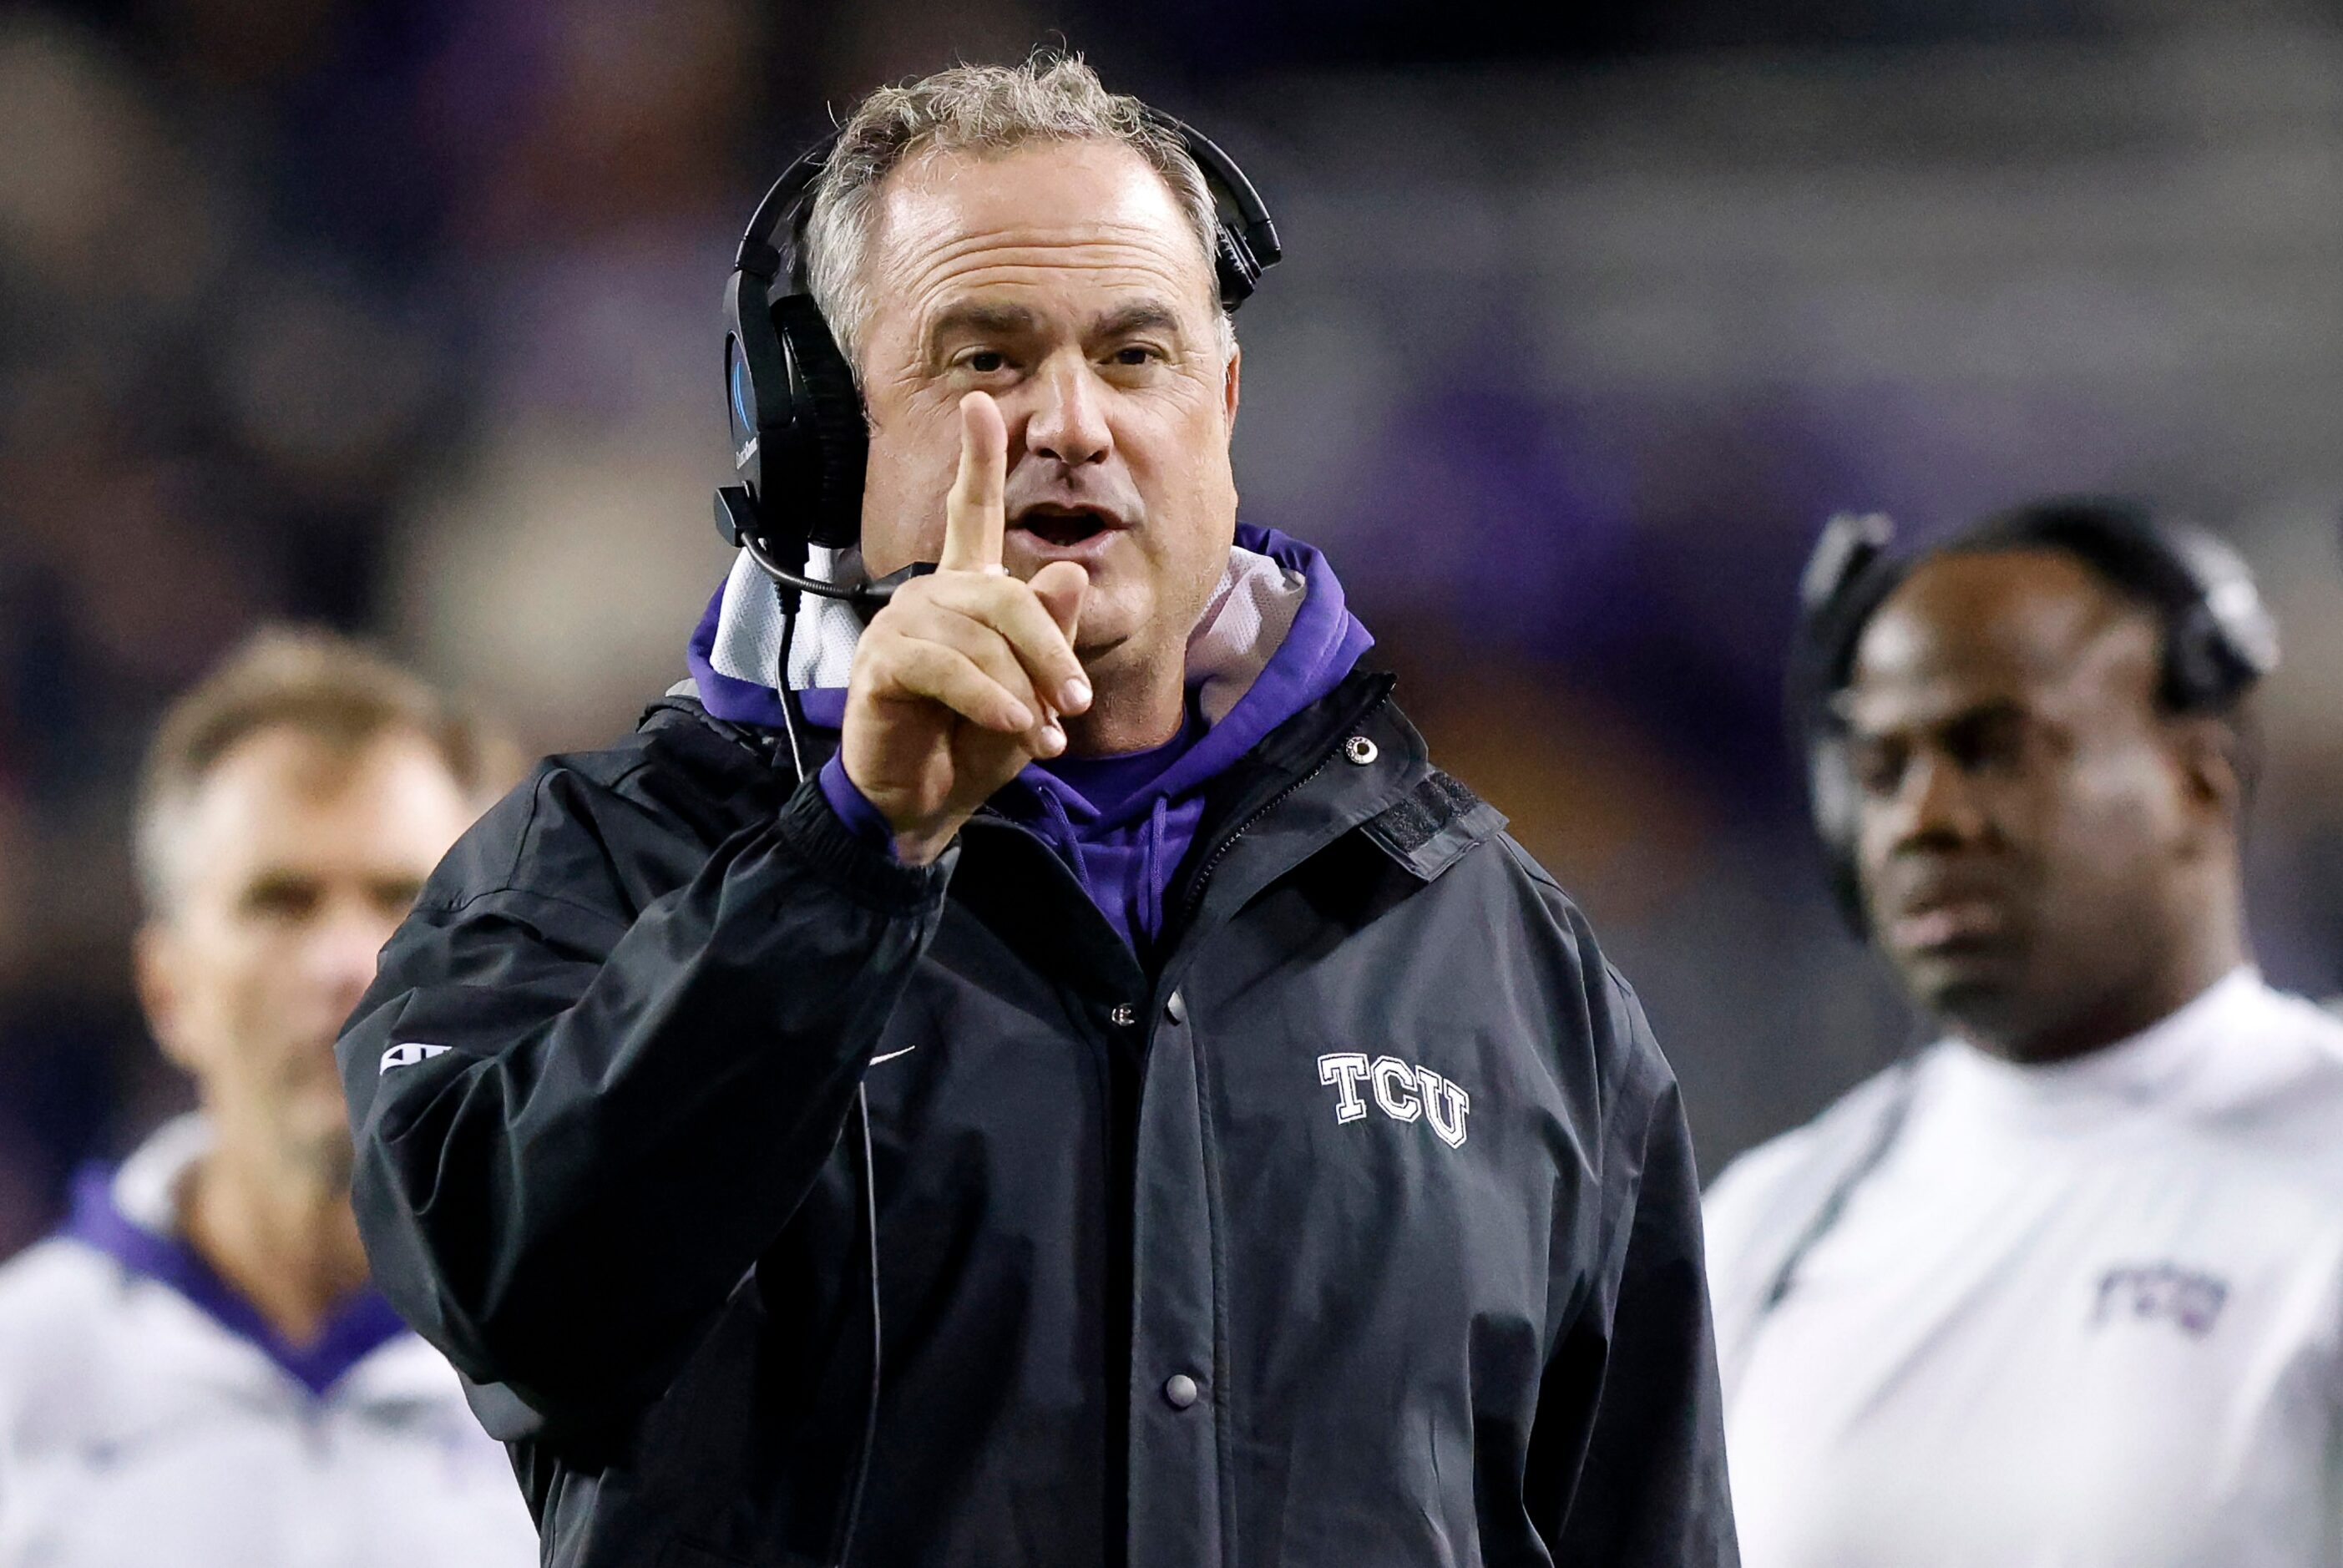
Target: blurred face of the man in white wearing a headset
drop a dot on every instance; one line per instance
(2028, 814)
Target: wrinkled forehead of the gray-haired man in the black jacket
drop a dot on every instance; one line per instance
(1046, 212)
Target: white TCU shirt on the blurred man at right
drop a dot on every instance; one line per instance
(2077, 1316)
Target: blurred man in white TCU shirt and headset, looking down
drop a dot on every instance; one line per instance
(2065, 1288)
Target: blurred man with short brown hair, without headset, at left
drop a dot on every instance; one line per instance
(198, 1372)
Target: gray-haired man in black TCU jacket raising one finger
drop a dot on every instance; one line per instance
(1034, 1068)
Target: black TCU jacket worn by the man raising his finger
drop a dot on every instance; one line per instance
(1355, 1227)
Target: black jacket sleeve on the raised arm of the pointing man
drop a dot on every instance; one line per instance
(578, 1126)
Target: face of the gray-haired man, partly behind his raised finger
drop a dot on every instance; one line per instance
(1067, 285)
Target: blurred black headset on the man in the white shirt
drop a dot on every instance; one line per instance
(2220, 639)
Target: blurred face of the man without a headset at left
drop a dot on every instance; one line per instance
(292, 868)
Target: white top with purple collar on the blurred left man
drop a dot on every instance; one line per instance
(149, 1419)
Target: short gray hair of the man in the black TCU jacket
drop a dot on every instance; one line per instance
(988, 111)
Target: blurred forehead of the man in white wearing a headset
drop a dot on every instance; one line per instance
(2004, 629)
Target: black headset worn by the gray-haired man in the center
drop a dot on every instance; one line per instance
(798, 430)
